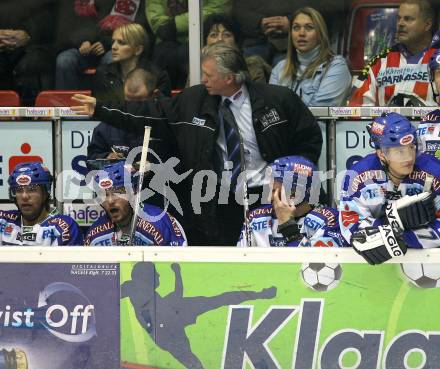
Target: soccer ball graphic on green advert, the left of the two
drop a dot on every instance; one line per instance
(320, 276)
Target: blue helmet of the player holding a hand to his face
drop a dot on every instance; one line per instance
(296, 169)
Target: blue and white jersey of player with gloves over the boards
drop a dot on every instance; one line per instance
(367, 189)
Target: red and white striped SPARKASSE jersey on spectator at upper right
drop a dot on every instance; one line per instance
(392, 73)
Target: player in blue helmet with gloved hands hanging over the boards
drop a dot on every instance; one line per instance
(391, 198)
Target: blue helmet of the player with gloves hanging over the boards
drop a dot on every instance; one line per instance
(391, 130)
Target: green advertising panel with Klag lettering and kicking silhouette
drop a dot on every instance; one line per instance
(286, 316)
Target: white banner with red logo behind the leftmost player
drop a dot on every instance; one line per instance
(23, 142)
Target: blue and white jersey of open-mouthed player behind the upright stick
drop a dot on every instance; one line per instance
(165, 231)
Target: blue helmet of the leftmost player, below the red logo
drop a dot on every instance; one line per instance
(27, 174)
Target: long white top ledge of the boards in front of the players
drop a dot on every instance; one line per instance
(81, 254)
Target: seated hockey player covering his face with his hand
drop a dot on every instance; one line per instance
(293, 220)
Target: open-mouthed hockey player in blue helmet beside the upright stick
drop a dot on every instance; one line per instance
(117, 184)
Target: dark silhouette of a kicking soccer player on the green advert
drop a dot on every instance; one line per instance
(165, 318)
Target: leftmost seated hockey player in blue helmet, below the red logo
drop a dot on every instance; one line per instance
(35, 223)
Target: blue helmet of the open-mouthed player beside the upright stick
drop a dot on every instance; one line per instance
(116, 176)
